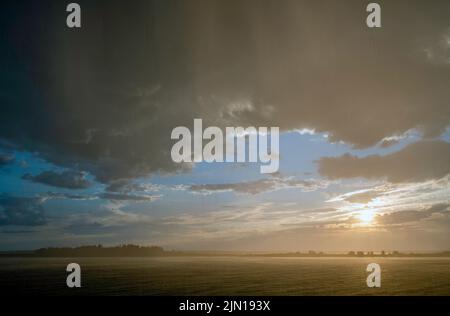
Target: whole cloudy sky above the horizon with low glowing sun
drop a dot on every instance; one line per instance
(86, 117)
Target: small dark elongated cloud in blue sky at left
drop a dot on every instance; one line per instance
(65, 179)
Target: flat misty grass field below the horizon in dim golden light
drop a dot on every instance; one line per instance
(226, 276)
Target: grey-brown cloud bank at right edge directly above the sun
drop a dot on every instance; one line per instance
(420, 161)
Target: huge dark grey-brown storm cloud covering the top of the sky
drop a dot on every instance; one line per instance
(106, 97)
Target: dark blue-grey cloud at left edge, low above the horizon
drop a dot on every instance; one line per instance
(20, 211)
